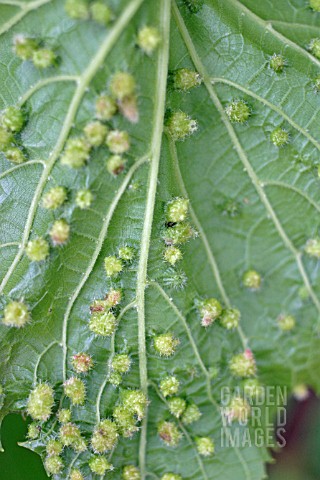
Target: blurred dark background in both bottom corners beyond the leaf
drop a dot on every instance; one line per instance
(299, 460)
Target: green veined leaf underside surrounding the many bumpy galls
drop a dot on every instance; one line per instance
(253, 204)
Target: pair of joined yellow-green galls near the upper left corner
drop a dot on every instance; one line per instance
(32, 49)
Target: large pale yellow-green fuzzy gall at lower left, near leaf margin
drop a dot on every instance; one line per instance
(40, 402)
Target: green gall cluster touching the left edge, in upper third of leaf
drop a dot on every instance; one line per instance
(12, 121)
